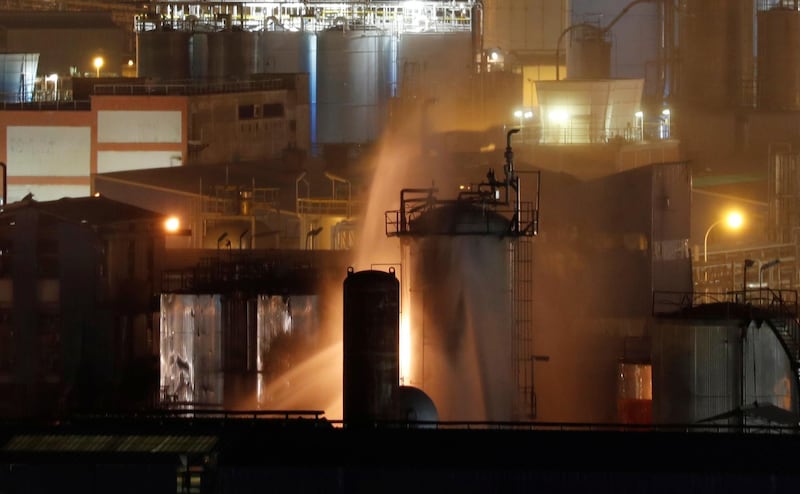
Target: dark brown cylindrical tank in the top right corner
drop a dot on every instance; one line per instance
(778, 63)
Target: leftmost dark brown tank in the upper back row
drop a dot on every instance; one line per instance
(163, 55)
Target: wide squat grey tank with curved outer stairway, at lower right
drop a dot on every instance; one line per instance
(710, 369)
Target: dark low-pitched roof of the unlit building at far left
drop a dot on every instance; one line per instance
(93, 210)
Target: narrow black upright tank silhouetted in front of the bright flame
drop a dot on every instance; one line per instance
(371, 355)
